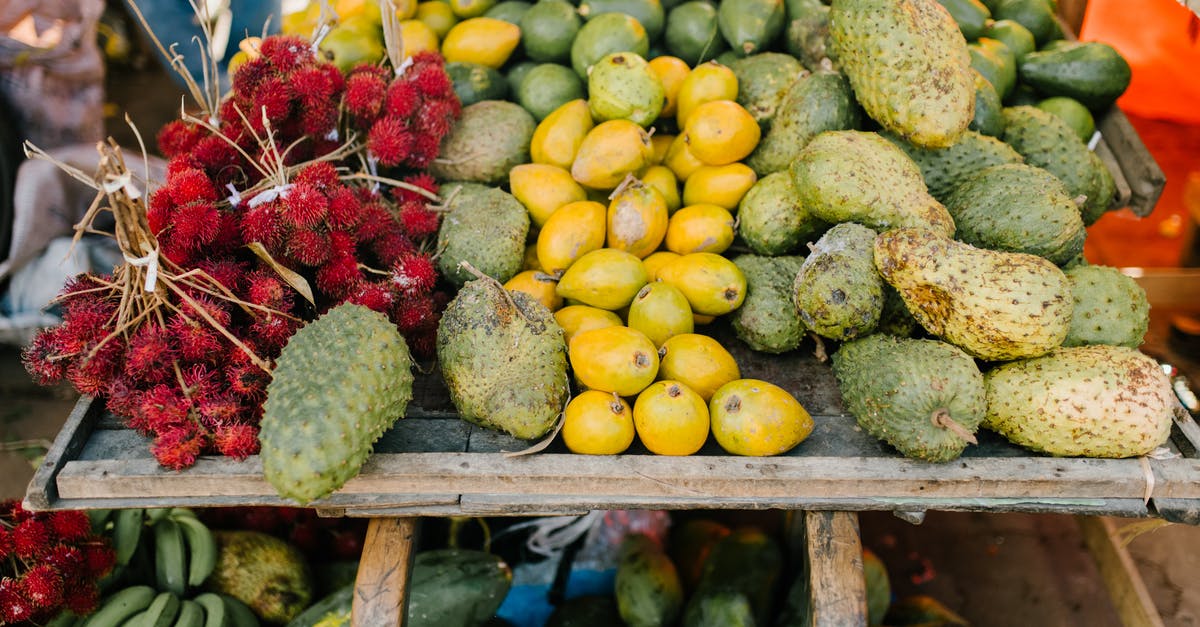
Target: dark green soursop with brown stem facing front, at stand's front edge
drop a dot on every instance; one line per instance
(926, 398)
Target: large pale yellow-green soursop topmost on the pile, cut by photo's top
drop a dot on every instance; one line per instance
(909, 65)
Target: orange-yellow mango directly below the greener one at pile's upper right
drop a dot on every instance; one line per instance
(722, 133)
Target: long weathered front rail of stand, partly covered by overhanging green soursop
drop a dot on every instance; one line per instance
(652, 476)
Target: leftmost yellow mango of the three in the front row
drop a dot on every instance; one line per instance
(598, 423)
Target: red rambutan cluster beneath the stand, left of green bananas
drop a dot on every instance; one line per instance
(50, 562)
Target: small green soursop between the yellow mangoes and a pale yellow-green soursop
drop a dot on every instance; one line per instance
(772, 220)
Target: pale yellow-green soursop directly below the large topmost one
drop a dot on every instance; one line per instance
(861, 177)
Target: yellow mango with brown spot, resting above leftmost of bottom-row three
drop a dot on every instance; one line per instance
(614, 360)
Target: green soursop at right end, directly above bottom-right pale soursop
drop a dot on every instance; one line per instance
(1111, 308)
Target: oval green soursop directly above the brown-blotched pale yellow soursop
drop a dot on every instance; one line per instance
(1018, 208)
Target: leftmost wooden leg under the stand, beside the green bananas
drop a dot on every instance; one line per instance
(381, 589)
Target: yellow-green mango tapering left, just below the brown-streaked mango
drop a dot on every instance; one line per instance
(607, 279)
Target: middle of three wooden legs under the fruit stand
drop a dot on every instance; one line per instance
(830, 553)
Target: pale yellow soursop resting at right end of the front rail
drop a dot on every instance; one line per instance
(1097, 402)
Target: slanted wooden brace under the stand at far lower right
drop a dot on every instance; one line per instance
(1131, 599)
